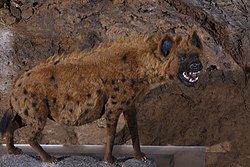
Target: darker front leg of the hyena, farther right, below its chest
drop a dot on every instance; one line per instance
(130, 117)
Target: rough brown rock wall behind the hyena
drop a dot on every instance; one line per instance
(214, 112)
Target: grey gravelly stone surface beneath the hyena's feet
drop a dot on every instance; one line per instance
(70, 161)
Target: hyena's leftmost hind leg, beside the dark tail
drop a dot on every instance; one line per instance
(14, 125)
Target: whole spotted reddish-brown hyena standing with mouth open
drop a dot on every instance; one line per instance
(80, 88)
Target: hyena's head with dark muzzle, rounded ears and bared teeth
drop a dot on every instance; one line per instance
(181, 57)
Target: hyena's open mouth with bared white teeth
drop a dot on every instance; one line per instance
(189, 78)
